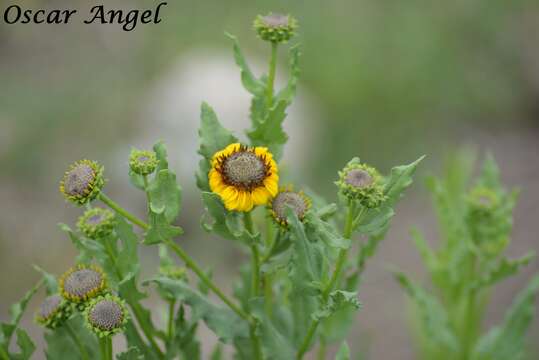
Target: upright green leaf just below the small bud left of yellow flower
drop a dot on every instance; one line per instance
(165, 195)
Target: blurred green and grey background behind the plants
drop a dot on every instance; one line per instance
(384, 80)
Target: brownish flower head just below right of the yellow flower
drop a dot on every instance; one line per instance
(287, 198)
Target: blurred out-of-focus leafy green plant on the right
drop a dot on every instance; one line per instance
(475, 225)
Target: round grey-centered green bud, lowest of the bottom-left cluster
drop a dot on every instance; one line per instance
(106, 315)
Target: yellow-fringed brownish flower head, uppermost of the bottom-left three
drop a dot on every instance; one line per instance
(81, 283)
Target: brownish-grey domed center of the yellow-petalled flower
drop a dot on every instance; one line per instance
(244, 169)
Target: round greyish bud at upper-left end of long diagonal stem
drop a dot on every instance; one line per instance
(82, 182)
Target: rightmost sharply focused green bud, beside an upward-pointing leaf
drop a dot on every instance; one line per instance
(361, 182)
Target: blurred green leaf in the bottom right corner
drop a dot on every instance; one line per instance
(507, 340)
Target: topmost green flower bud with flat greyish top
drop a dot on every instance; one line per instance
(276, 28)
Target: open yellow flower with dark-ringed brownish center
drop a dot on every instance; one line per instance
(244, 177)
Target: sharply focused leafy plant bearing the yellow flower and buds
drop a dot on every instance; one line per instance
(300, 287)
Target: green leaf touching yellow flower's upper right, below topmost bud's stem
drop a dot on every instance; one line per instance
(269, 132)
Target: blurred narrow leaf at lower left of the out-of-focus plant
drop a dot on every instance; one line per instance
(434, 320)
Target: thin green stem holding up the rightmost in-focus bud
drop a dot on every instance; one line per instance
(341, 260)
